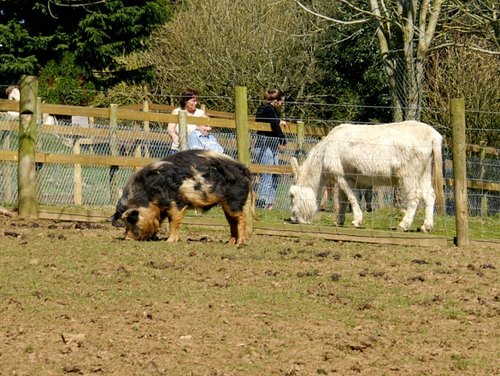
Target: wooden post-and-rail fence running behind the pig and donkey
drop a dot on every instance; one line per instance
(147, 113)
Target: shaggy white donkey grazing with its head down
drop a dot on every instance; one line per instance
(403, 154)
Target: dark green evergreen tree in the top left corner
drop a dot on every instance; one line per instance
(96, 32)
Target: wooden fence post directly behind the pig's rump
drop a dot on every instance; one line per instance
(243, 141)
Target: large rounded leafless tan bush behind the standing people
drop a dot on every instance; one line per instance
(215, 45)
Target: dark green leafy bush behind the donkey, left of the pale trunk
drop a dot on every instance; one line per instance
(354, 79)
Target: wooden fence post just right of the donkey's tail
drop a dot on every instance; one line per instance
(457, 109)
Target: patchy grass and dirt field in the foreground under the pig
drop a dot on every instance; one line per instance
(76, 298)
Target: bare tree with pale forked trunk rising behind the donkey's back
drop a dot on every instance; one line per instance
(408, 30)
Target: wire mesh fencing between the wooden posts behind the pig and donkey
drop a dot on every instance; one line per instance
(91, 185)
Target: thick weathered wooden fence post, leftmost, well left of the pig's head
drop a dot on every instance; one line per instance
(26, 171)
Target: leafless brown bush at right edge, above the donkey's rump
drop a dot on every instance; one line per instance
(476, 78)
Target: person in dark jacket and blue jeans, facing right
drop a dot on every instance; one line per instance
(269, 143)
